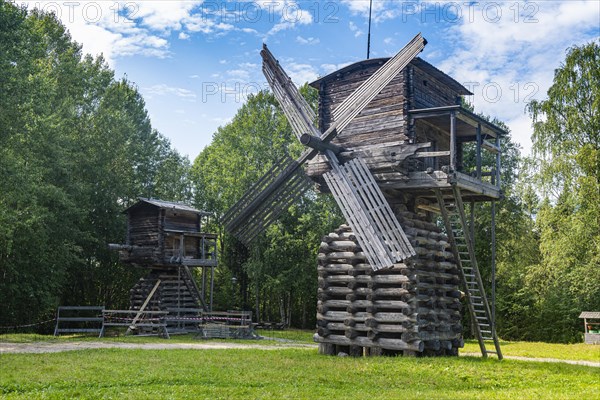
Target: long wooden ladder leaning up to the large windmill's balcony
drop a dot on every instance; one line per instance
(455, 221)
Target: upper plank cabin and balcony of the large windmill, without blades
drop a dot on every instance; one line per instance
(412, 134)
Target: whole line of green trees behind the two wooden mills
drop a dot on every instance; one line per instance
(77, 147)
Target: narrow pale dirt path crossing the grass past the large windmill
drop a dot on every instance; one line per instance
(55, 347)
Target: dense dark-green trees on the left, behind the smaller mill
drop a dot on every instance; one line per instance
(76, 147)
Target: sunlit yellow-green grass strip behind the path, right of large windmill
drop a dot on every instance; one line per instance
(577, 351)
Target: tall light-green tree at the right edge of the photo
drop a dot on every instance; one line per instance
(566, 157)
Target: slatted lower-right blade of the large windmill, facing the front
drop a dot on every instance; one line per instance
(368, 213)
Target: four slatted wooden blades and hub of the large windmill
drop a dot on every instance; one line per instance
(352, 184)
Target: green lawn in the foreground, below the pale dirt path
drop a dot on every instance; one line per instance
(281, 374)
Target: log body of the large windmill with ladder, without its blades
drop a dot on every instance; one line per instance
(413, 137)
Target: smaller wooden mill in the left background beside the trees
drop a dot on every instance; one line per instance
(167, 238)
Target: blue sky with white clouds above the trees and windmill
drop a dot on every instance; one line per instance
(196, 61)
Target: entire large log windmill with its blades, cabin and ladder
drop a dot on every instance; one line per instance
(387, 282)
